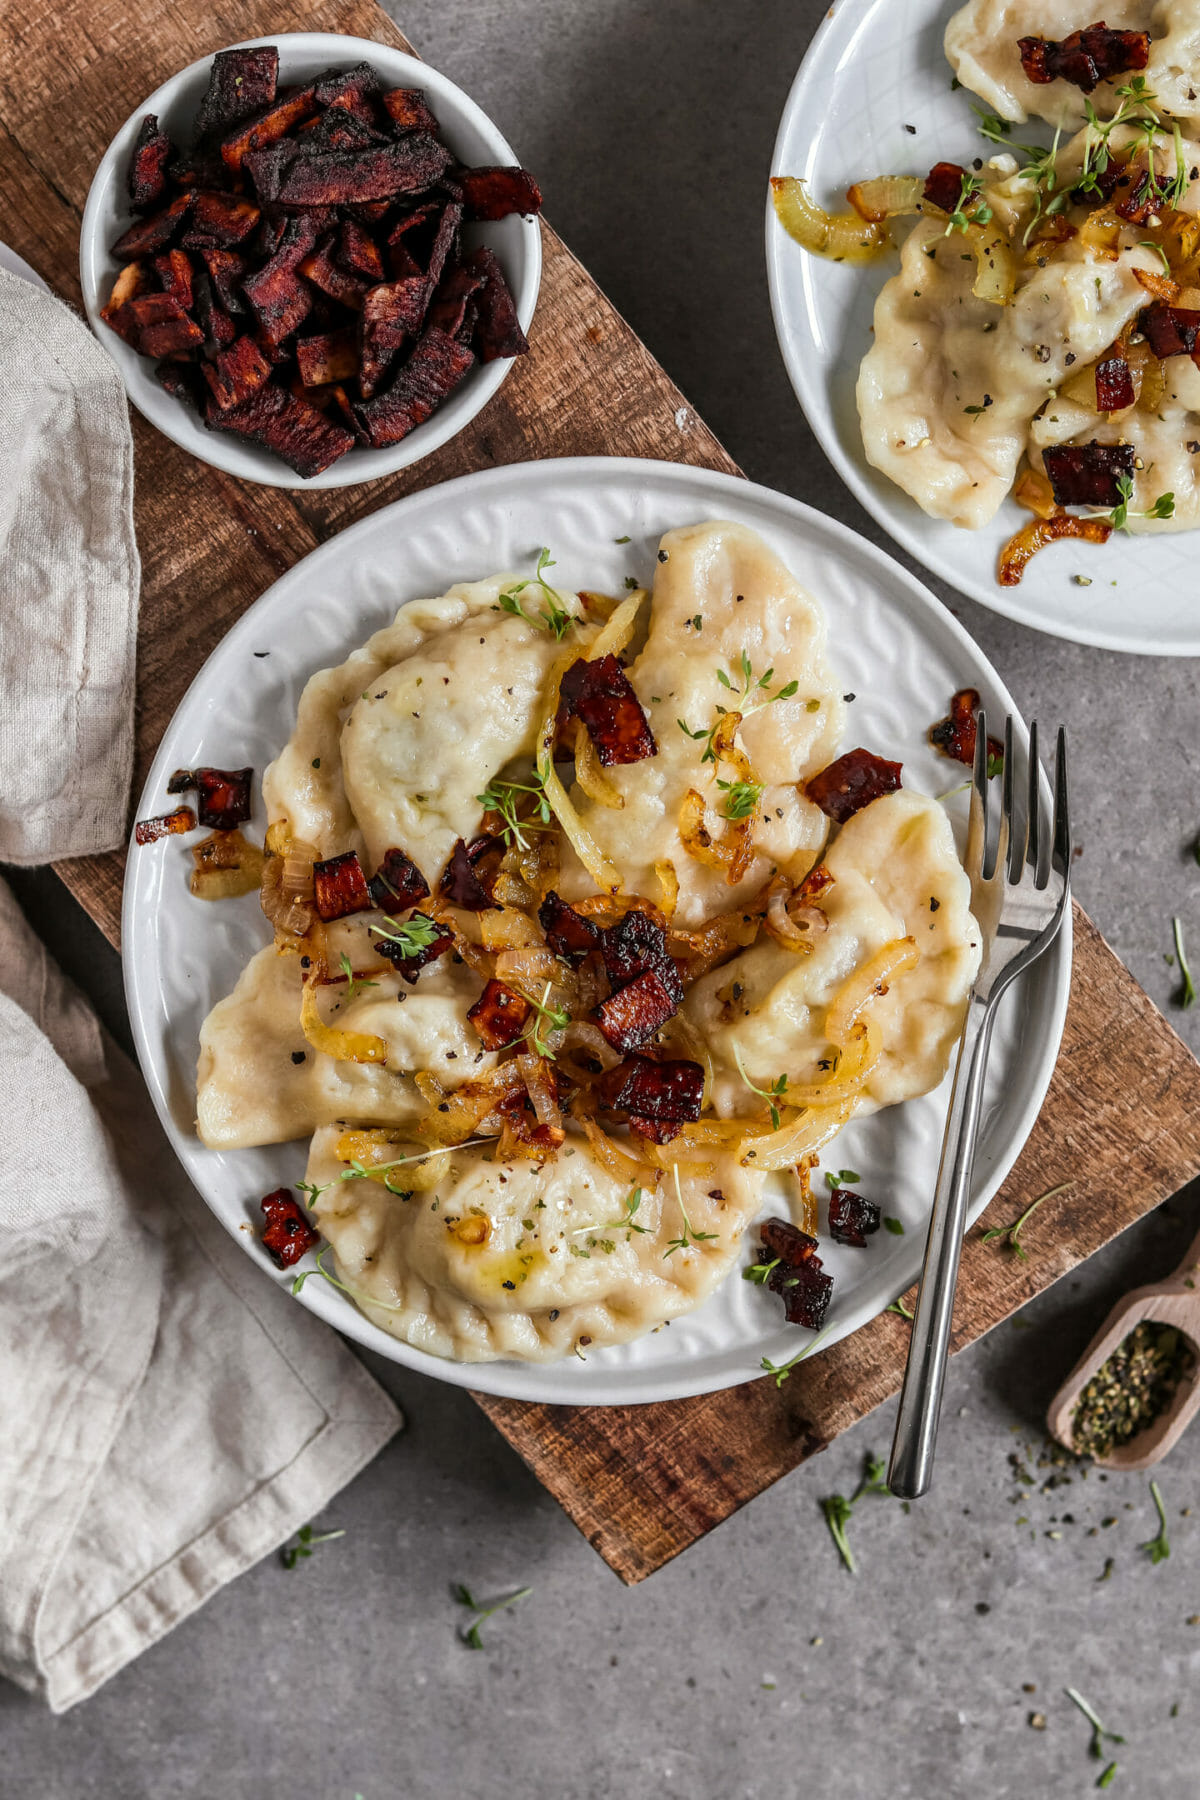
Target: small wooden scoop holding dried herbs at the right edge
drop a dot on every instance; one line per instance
(1172, 1302)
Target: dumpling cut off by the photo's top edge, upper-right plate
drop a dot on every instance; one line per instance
(983, 37)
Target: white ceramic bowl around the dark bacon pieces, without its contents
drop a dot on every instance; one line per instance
(303, 55)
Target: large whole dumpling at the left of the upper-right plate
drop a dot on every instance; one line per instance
(951, 384)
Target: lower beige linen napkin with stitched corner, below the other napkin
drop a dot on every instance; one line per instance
(168, 1416)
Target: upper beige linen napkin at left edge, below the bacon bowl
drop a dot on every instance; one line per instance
(71, 584)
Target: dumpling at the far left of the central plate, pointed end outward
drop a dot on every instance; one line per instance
(260, 1081)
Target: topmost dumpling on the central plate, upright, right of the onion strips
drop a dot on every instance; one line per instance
(721, 593)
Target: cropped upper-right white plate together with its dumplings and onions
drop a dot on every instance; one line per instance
(949, 375)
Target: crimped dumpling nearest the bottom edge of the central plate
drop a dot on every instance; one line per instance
(524, 1261)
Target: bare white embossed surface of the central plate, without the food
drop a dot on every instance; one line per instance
(893, 647)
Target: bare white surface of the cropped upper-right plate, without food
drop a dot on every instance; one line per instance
(873, 98)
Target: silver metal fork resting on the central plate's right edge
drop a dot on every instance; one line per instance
(1021, 890)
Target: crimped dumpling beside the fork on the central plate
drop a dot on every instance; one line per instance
(895, 876)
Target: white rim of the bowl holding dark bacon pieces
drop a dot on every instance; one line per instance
(177, 420)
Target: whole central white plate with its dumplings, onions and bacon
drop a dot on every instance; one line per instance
(571, 1214)
